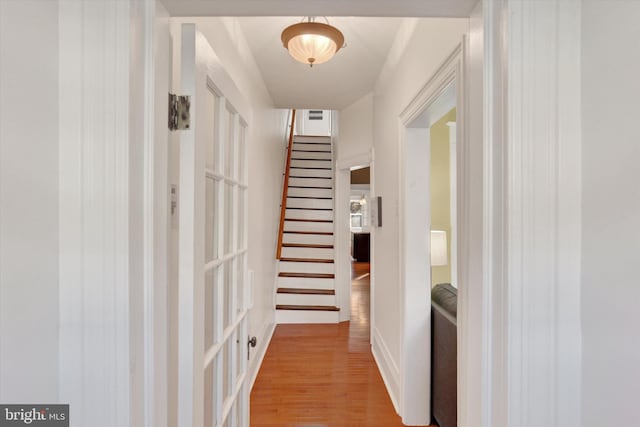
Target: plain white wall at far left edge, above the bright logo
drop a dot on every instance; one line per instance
(28, 201)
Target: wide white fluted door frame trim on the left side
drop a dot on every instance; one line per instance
(101, 135)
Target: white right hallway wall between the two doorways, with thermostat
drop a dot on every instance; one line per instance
(420, 48)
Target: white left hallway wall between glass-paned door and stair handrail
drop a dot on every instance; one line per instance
(266, 145)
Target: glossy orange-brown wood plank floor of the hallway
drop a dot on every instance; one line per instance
(324, 375)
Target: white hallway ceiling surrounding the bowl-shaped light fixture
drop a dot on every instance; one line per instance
(336, 84)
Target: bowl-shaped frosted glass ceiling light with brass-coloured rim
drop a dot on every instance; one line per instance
(312, 42)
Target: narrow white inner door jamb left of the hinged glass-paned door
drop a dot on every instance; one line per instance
(156, 215)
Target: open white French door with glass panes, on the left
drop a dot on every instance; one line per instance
(212, 355)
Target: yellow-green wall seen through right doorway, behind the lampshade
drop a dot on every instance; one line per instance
(440, 190)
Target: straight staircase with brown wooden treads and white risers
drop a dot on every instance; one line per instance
(306, 281)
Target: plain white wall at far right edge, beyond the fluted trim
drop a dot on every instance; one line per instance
(611, 213)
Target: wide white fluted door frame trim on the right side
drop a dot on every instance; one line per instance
(532, 214)
